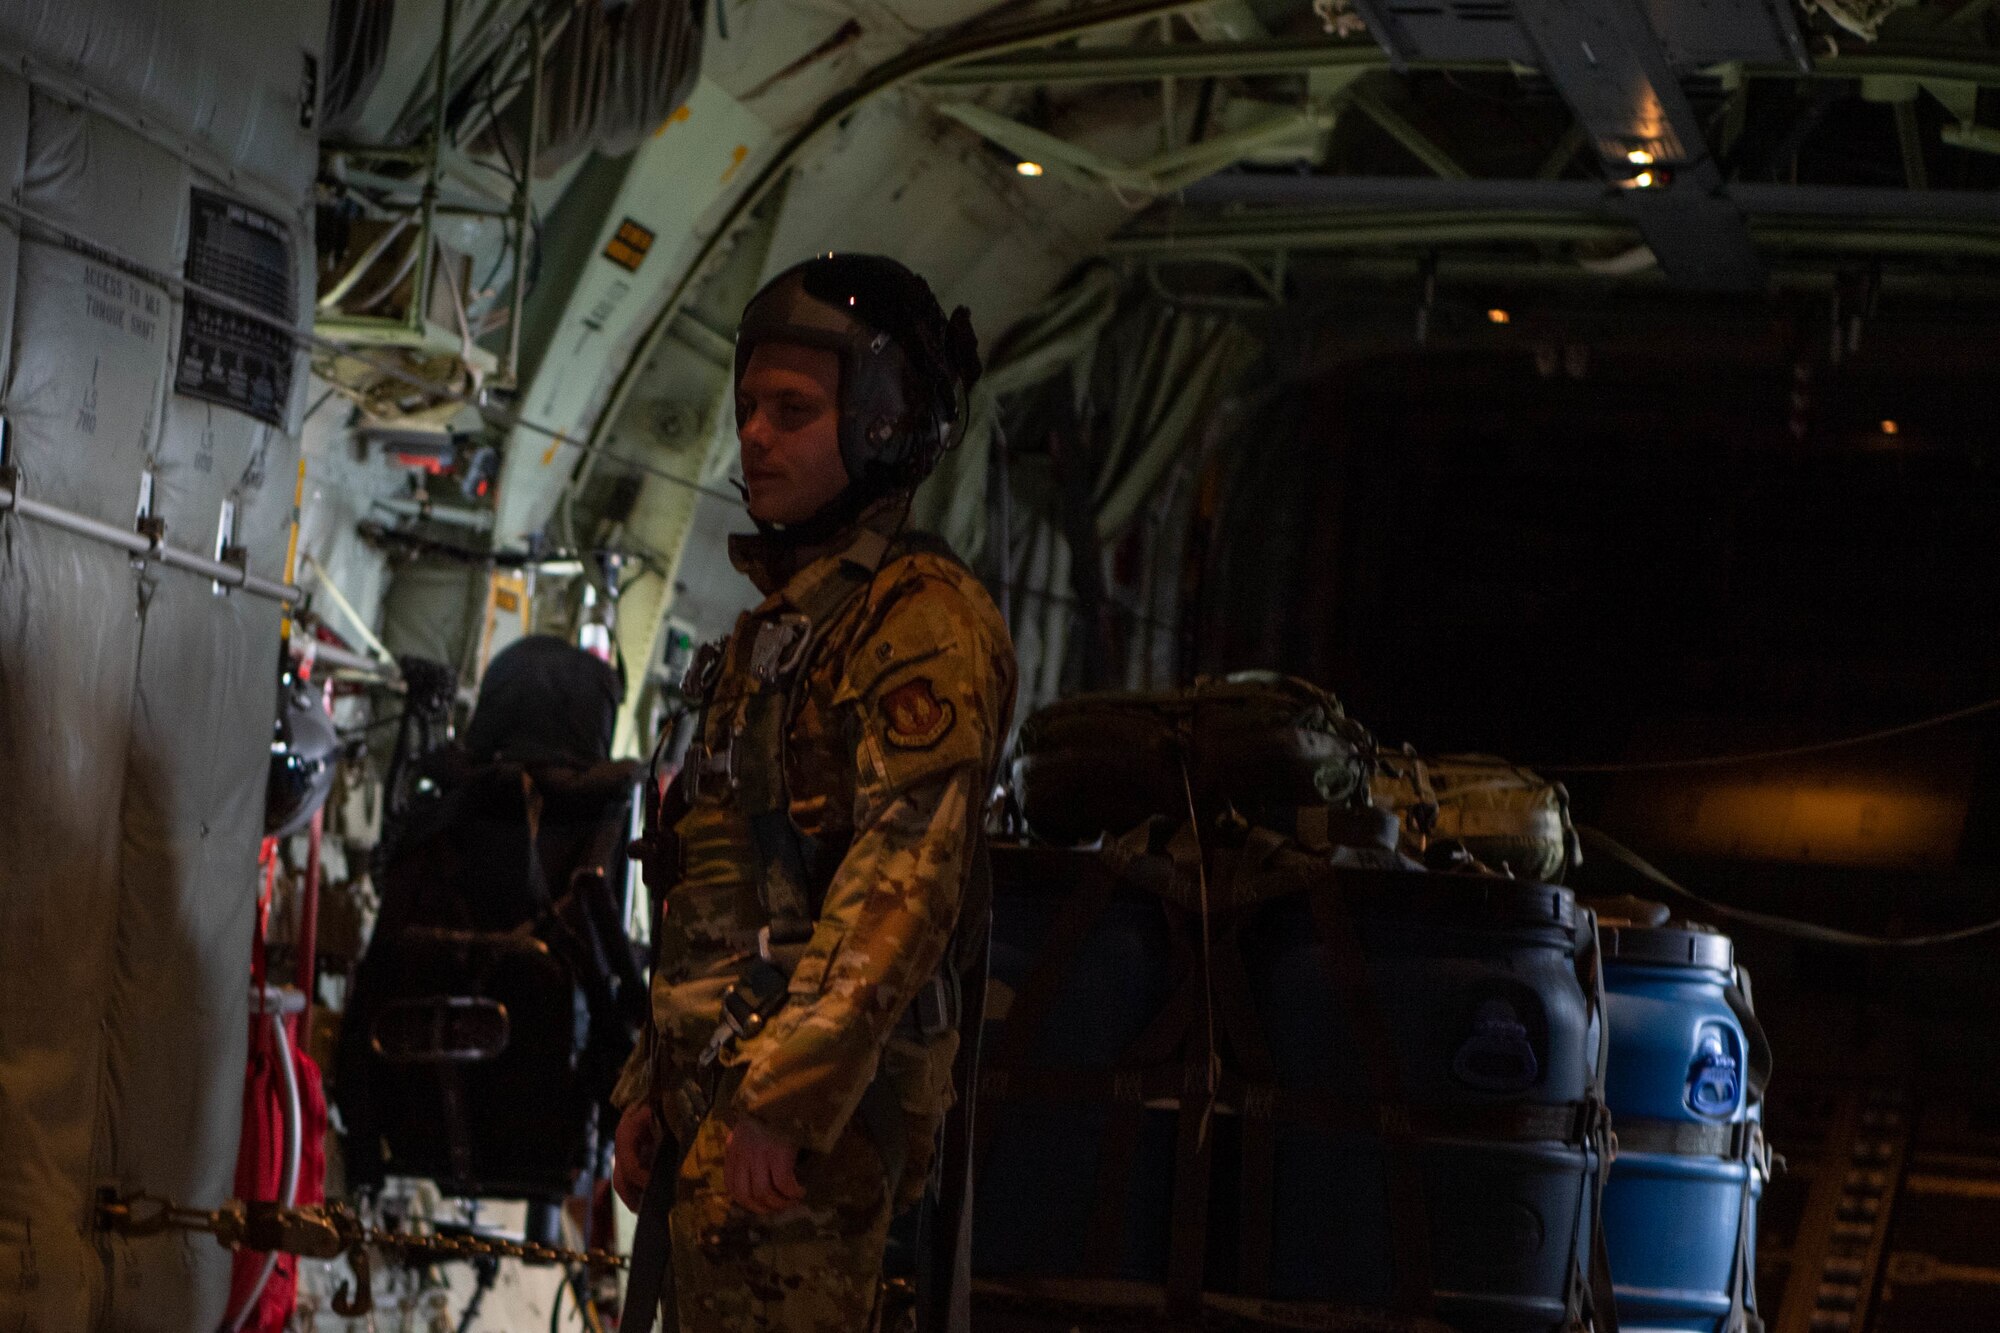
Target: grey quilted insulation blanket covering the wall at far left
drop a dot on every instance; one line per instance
(135, 702)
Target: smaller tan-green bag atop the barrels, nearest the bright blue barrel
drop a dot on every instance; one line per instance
(1509, 820)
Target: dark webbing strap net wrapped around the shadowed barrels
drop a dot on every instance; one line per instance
(1165, 1072)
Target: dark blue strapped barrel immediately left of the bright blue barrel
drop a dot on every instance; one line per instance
(1477, 986)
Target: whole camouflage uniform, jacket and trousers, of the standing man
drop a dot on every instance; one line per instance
(895, 730)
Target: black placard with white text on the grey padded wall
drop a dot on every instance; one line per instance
(227, 355)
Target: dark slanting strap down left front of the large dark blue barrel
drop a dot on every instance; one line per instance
(1407, 1218)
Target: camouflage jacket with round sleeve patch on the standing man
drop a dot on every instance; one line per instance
(895, 732)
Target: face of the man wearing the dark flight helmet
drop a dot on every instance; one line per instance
(789, 429)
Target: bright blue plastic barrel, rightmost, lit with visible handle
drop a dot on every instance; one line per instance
(1681, 1200)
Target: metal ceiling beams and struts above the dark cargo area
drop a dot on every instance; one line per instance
(1701, 227)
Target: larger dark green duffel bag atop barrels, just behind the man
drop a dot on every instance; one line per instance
(1253, 742)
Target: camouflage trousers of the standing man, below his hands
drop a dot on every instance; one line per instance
(811, 1270)
